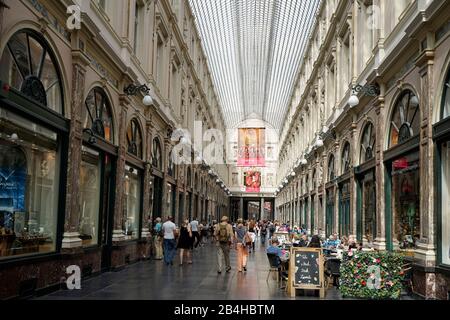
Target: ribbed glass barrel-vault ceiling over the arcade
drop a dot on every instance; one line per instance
(254, 49)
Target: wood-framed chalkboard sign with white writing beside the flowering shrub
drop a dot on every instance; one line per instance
(306, 268)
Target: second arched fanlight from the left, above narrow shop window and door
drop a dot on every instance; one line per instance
(97, 115)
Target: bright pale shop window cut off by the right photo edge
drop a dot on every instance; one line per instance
(445, 204)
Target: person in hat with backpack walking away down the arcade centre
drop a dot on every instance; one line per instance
(223, 235)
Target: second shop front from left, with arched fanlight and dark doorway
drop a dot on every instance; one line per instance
(97, 175)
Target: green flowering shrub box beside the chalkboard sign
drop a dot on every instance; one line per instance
(359, 275)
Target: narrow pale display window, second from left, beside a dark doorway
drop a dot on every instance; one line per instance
(90, 178)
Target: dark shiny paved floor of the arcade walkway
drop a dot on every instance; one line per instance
(152, 280)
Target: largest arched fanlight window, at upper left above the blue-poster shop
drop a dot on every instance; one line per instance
(29, 66)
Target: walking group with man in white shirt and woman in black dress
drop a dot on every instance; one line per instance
(167, 238)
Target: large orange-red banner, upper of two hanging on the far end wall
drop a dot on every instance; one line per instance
(251, 147)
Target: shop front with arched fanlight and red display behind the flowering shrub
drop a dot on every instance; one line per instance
(403, 175)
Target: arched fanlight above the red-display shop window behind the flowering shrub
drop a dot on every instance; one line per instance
(405, 119)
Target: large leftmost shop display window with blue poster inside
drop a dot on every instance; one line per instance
(29, 186)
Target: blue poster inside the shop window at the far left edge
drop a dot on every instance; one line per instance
(12, 183)
